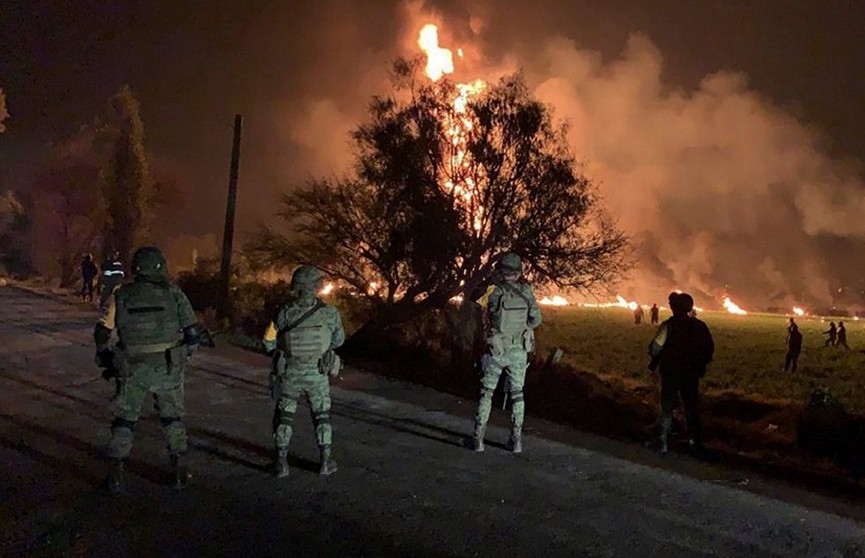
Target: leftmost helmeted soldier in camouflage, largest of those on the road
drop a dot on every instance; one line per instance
(157, 332)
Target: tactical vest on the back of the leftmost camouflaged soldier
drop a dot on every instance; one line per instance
(147, 317)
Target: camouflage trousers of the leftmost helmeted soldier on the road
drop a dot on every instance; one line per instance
(167, 389)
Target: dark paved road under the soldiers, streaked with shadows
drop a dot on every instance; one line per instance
(405, 487)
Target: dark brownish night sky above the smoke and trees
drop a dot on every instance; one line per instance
(194, 64)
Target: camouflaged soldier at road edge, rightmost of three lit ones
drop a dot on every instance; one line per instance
(513, 315)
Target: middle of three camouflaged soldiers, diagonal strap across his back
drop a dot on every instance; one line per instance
(302, 338)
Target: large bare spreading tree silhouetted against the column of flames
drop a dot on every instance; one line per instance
(447, 177)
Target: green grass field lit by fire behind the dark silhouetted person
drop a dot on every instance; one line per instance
(749, 355)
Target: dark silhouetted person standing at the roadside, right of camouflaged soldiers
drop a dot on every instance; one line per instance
(682, 349)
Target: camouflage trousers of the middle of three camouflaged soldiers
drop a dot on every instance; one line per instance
(312, 384)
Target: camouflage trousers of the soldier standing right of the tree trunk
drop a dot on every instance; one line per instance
(513, 364)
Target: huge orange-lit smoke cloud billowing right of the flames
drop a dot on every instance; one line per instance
(720, 189)
